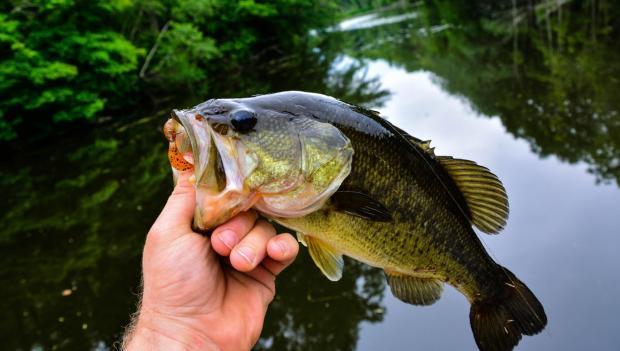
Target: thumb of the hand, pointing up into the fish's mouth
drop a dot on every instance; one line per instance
(176, 217)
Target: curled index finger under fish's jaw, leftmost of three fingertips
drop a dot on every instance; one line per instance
(226, 236)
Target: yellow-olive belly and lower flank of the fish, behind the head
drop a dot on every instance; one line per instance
(398, 247)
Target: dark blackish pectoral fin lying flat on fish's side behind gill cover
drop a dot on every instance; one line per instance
(361, 205)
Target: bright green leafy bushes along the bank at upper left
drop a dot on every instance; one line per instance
(66, 60)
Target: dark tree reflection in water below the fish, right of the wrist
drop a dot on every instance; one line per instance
(312, 314)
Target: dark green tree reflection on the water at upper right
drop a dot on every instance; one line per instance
(550, 73)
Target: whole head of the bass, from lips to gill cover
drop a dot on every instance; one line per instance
(248, 155)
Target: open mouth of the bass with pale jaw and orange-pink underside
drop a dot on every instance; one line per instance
(221, 165)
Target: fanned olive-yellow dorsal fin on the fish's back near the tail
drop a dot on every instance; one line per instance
(483, 191)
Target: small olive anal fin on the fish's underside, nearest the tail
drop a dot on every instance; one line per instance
(414, 290)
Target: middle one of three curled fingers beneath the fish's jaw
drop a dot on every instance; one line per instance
(253, 248)
